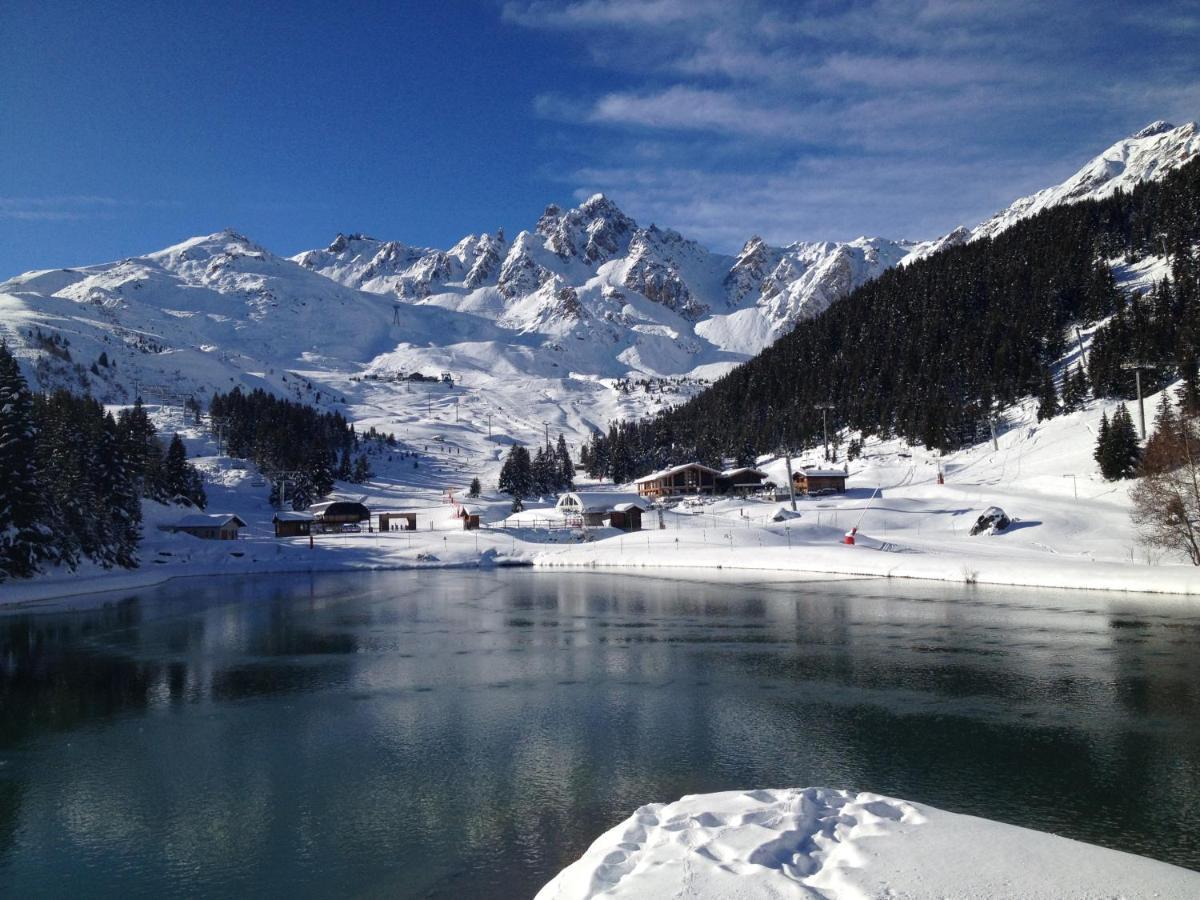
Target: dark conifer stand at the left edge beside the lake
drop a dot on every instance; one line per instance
(73, 478)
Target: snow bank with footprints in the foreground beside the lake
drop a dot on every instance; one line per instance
(820, 843)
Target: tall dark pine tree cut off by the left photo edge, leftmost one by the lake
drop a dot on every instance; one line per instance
(25, 537)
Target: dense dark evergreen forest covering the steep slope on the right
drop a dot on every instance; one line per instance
(932, 351)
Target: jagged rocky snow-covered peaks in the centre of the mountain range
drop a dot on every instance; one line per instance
(593, 262)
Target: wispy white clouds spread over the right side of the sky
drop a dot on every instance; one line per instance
(823, 121)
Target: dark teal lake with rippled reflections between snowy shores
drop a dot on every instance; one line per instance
(469, 734)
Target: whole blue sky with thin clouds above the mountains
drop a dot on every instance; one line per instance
(125, 128)
